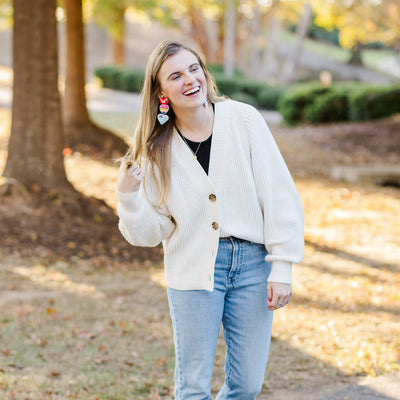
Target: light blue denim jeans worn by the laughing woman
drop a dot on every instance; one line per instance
(239, 301)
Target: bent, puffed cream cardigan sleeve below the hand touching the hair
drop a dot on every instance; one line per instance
(141, 223)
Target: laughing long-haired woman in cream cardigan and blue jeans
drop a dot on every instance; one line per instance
(218, 195)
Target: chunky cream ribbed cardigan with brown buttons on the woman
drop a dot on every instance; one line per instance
(248, 193)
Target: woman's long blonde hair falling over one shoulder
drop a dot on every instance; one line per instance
(152, 141)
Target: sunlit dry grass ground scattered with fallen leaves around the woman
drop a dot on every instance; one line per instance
(95, 325)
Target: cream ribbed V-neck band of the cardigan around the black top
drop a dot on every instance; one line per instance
(182, 154)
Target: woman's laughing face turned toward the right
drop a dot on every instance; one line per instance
(183, 81)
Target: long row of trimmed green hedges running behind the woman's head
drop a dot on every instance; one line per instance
(303, 103)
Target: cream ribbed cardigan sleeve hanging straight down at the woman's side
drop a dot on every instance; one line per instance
(278, 197)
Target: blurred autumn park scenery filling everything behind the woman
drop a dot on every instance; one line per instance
(83, 313)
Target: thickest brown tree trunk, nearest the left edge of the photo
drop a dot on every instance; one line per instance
(36, 141)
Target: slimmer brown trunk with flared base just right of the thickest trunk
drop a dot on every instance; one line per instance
(79, 129)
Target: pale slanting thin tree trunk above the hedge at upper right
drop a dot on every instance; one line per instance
(301, 33)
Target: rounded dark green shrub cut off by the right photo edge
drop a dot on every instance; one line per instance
(374, 102)
